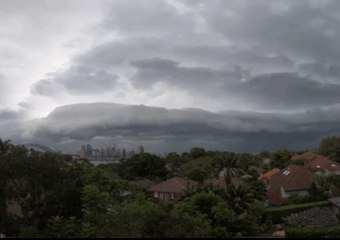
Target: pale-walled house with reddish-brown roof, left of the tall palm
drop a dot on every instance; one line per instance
(172, 189)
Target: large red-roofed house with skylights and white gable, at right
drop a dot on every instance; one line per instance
(293, 180)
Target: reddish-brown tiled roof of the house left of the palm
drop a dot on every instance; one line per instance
(174, 185)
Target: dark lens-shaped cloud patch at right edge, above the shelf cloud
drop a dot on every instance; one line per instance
(288, 90)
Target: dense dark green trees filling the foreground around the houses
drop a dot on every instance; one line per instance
(59, 196)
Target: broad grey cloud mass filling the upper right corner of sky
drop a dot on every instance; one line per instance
(302, 28)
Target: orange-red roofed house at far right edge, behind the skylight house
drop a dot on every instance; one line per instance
(323, 166)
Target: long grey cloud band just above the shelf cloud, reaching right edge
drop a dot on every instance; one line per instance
(276, 90)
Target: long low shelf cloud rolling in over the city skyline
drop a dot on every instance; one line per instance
(168, 130)
